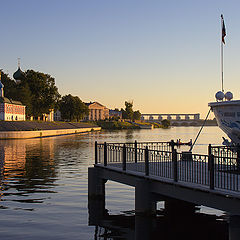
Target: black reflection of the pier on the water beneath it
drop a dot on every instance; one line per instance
(127, 226)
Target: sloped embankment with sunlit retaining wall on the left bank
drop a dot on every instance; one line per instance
(36, 129)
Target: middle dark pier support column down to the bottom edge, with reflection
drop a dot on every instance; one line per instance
(145, 210)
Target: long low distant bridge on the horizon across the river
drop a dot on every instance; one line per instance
(172, 117)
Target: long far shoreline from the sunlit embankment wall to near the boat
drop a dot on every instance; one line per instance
(40, 129)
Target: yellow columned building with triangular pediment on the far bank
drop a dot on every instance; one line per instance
(97, 111)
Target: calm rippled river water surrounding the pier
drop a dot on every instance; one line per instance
(44, 184)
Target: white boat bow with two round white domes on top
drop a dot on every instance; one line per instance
(227, 113)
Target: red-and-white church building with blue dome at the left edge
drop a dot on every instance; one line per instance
(10, 110)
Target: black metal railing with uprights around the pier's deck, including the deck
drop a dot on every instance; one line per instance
(218, 170)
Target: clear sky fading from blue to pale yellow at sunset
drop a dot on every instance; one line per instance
(164, 55)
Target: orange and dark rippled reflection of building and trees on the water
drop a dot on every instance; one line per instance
(26, 169)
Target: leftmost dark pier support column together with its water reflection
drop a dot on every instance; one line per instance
(96, 196)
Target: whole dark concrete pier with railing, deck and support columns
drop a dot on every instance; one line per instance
(164, 175)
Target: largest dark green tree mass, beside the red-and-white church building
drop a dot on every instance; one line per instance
(37, 91)
